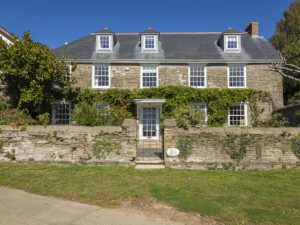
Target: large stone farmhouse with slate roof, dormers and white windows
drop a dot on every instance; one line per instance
(229, 59)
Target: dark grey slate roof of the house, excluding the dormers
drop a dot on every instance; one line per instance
(172, 47)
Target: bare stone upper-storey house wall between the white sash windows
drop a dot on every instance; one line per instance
(259, 77)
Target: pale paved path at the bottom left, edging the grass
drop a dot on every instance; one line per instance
(21, 208)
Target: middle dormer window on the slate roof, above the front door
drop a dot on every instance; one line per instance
(149, 40)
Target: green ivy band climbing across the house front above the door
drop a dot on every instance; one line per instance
(218, 100)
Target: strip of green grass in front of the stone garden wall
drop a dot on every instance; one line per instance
(233, 197)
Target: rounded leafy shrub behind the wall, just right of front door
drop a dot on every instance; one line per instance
(188, 116)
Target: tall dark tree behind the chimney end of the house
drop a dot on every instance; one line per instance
(287, 40)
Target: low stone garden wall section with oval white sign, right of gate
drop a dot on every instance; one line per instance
(266, 148)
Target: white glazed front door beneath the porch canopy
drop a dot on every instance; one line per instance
(149, 123)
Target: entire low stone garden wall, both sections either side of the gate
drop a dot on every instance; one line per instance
(199, 148)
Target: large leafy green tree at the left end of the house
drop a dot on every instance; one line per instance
(33, 77)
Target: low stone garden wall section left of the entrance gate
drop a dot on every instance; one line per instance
(70, 144)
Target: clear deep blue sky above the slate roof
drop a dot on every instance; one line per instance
(53, 22)
